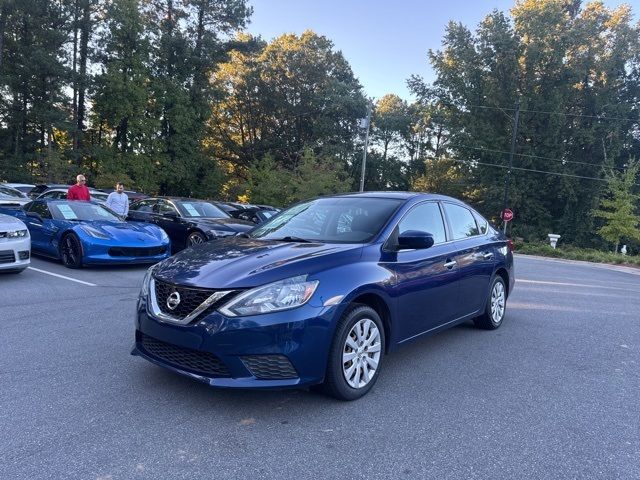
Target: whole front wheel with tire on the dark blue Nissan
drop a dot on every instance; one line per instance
(351, 360)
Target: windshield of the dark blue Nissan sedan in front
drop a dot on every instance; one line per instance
(331, 220)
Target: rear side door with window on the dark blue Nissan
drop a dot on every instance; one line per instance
(474, 256)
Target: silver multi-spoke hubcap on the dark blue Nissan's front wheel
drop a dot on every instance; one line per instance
(361, 353)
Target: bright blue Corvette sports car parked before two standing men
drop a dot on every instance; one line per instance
(82, 233)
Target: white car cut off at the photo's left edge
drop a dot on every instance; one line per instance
(15, 245)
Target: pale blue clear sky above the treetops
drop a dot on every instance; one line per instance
(384, 41)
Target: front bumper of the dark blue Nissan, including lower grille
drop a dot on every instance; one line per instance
(295, 341)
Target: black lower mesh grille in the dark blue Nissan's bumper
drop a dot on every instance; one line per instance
(195, 361)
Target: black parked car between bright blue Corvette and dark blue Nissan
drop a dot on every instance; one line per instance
(187, 221)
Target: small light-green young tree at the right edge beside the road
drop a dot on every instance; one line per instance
(617, 207)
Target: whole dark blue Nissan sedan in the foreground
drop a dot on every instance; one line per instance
(320, 292)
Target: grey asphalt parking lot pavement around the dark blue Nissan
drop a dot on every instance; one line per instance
(554, 393)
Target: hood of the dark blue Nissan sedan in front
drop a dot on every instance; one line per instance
(244, 262)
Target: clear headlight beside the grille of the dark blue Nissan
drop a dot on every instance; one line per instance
(274, 297)
